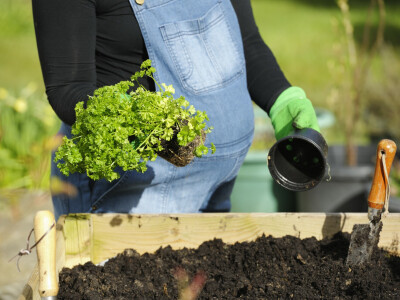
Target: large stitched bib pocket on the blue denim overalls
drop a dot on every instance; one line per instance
(204, 51)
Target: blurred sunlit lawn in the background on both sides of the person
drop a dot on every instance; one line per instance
(300, 33)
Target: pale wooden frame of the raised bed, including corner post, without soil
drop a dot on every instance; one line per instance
(85, 237)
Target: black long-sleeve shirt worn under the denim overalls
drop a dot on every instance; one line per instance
(86, 44)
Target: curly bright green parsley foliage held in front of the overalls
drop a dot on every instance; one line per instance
(117, 129)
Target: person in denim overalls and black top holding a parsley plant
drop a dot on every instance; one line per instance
(211, 52)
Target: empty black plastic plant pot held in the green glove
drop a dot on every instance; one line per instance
(298, 161)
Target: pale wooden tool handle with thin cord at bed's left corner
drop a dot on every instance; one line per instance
(46, 253)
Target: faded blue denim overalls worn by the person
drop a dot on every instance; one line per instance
(196, 46)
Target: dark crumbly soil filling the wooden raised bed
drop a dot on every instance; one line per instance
(268, 268)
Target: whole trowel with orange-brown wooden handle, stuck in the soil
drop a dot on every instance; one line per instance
(365, 237)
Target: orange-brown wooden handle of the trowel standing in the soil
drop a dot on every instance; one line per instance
(376, 198)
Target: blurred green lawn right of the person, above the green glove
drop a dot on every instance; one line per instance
(301, 35)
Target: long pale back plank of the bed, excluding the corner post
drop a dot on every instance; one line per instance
(146, 233)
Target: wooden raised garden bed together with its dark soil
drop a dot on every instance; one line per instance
(96, 238)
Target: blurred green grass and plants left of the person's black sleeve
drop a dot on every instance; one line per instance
(27, 122)
